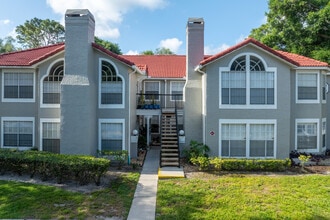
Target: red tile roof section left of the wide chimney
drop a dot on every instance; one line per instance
(31, 56)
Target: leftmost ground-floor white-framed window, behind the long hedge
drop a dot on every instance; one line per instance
(17, 132)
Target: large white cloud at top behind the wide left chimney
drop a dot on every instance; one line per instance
(108, 14)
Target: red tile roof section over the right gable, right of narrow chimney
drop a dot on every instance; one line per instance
(294, 59)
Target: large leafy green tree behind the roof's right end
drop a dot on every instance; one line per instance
(297, 26)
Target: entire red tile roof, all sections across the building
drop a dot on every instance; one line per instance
(156, 66)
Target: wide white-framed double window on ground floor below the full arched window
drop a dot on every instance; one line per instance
(247, 138)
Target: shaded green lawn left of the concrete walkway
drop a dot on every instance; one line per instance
(32, 201)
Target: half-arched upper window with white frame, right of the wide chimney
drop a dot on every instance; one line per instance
(112, 86)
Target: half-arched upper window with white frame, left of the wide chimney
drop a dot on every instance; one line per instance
(51, 85)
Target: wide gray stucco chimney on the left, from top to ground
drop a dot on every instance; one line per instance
(78, 87)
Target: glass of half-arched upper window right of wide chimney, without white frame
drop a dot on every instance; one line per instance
(111, 85)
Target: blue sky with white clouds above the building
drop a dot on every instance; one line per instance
(139, 25)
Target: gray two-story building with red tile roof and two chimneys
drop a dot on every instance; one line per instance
(248, 101)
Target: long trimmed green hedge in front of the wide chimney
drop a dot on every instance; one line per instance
(80, 168)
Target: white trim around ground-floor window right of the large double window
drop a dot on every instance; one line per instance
(308, 120)
